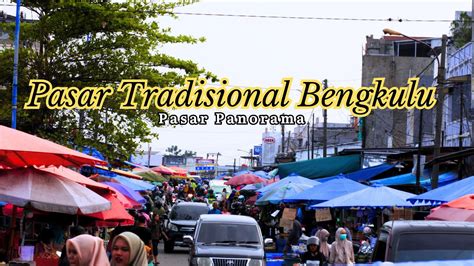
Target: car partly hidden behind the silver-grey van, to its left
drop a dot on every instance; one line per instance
(181, 221)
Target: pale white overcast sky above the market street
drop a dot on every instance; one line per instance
(262, 51)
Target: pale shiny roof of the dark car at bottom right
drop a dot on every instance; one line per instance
(430, 226)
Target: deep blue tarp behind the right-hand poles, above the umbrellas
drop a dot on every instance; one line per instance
(410, 179)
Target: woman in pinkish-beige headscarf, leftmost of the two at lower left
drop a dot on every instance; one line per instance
(86, 250)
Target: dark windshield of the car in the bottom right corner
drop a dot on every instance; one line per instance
(435, 246)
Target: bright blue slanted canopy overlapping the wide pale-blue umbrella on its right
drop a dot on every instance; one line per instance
(326, 191)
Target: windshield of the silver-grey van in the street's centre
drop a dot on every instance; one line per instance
(215, 233)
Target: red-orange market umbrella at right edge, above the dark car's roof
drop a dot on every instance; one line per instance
(461, 209)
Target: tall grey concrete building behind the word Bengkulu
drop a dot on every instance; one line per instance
(397, 59)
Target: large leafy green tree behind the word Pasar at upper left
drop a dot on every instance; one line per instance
(94, 43)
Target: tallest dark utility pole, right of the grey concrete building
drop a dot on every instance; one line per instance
(439, 112)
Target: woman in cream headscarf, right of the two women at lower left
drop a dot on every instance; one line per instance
(128, 249)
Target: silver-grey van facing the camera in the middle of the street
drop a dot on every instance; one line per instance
(227, 240)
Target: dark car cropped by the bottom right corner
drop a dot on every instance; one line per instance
(404, 241)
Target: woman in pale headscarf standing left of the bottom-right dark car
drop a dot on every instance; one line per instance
(342, 252)
